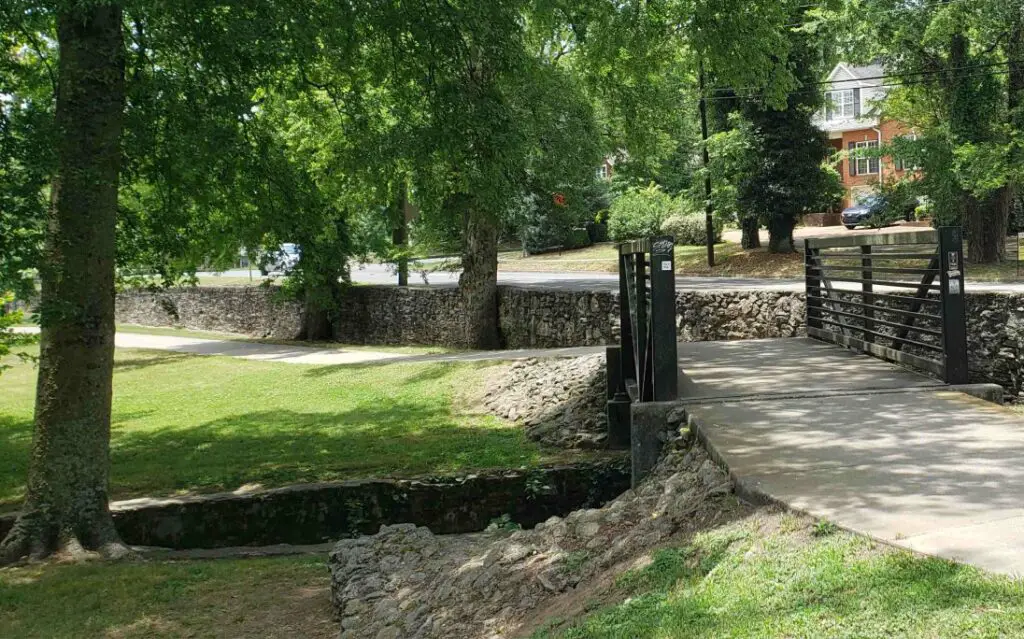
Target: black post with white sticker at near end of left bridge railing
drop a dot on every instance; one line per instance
(663, 320)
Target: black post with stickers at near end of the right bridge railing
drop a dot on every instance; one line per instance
(954, 308)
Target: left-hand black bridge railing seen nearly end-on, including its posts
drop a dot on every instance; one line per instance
(645, 367)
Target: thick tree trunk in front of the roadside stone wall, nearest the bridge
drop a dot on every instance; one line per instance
(479, 282)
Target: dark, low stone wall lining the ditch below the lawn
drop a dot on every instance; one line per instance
(316, 514)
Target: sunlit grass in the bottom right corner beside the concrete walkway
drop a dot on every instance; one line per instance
(781, 577)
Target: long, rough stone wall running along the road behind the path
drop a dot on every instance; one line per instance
(538, 318)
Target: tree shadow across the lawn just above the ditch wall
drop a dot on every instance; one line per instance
(287, 447)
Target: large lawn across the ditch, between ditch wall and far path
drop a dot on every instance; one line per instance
(193, 424)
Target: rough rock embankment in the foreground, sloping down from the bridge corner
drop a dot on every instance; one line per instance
(406, 582)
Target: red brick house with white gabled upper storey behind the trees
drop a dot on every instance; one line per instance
(852, 120)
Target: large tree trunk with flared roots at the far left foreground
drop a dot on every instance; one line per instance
(66, 509)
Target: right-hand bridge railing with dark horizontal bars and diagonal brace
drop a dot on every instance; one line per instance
(895, 296)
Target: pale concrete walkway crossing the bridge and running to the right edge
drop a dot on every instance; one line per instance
(869, 446)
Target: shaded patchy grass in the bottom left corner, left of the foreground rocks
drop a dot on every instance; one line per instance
(281, 599)
